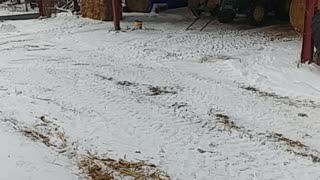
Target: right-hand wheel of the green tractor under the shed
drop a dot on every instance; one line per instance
(257, 14)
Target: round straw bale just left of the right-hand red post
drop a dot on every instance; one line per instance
(297, 12)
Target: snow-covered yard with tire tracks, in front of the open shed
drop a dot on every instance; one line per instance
(225, 103)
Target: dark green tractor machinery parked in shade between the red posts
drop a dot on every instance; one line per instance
(255, 10)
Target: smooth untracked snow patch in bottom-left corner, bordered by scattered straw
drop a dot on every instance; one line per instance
(21, 159)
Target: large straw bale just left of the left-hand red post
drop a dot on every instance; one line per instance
(97, 9)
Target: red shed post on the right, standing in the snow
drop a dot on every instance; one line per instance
(307, 44)
